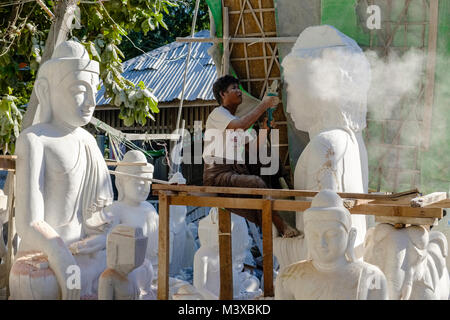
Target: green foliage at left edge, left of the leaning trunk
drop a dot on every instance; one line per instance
(21, 45)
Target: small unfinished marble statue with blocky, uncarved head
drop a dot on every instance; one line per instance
(126, 251)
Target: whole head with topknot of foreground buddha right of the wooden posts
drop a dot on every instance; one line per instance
(328, 229)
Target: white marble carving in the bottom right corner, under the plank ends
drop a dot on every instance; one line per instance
(413, 260)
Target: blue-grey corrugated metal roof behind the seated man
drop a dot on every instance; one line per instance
(162, 70)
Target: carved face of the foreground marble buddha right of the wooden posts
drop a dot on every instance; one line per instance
(327, 240)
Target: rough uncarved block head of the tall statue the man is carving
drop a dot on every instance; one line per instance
(327, 77)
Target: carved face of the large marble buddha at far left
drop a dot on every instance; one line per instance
(73, 100)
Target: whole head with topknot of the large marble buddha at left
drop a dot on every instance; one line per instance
(66, 86)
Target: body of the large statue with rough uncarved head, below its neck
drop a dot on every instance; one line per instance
(334, 159)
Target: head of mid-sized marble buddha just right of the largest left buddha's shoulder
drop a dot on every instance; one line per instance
(132, 188)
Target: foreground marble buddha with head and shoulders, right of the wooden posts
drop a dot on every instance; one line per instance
(332, 272)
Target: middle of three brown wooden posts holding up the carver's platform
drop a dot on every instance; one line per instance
(225, 255)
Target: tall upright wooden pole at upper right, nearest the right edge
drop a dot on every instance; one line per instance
(431, 73)
